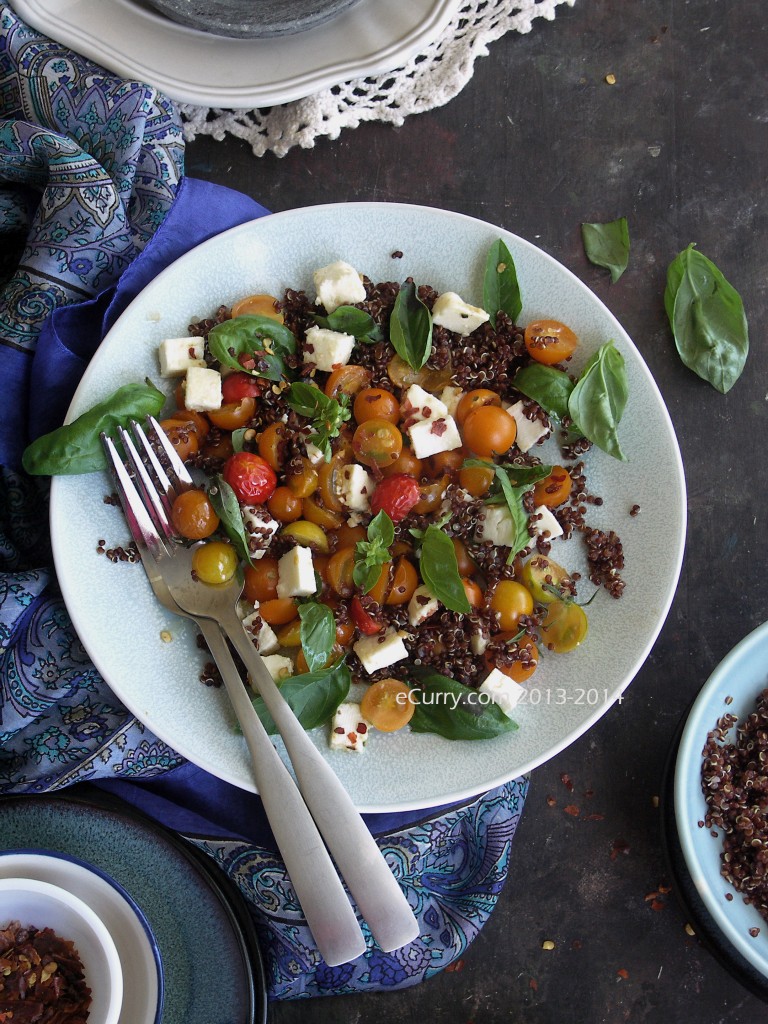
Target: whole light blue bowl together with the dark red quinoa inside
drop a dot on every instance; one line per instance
(728, 714)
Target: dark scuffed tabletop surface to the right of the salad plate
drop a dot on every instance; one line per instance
(538, 143)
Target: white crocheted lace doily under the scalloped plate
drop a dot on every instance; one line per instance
(429, 80)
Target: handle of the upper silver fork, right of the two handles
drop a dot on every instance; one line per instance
(361, 863)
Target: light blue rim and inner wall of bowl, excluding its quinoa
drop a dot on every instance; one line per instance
(742, 675)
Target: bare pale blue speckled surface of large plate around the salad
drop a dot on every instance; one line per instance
(159, 681)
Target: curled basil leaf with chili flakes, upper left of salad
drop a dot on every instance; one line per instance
(263, 338)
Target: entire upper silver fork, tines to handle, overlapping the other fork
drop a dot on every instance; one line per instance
(358, 858)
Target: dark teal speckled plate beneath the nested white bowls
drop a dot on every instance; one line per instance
(207, 963)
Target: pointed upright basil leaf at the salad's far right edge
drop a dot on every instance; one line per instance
(599, 401)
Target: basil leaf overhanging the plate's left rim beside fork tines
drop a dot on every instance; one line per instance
(75, 448)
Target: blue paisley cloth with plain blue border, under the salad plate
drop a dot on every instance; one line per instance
(94, 204)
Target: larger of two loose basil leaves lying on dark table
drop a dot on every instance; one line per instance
(708, 320)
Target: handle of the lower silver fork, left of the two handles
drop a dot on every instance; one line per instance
(326, 906)
